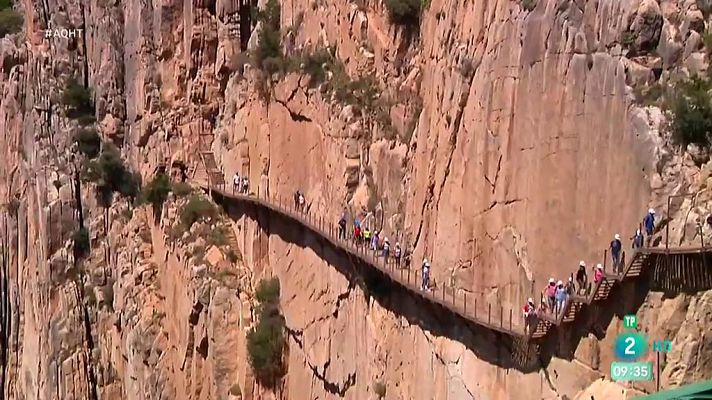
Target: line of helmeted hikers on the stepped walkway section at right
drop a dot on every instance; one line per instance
(556, 293)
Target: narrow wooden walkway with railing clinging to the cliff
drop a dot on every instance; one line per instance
(472, 308)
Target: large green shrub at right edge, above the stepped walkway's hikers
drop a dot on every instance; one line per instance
(690, 112)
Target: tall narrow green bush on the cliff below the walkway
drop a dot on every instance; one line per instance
(266, 341)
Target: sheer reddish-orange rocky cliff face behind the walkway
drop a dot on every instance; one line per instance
(500, 120)
